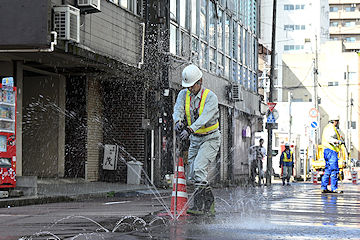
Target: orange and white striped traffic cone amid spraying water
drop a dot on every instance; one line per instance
(179, 196)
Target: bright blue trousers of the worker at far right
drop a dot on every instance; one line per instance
(331, 170)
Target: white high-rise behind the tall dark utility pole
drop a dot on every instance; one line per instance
(301, 26)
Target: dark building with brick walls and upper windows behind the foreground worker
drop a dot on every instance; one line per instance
(107, 73)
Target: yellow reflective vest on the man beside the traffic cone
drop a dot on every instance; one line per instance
(204, 129)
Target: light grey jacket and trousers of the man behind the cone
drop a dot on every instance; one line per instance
(203, 148)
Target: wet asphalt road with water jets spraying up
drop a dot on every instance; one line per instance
(298, 211)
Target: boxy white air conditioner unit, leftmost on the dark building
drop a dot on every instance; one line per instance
(67, 23)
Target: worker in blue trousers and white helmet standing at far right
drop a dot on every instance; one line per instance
(331, 141)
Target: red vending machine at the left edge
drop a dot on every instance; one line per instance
(7, 134)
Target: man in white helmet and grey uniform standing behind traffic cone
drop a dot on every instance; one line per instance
(198, 107)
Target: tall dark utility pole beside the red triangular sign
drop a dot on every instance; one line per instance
(272, 67)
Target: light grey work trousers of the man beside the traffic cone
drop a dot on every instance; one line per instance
(202, 151)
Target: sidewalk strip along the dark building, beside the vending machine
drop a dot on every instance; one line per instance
(64, 189)
